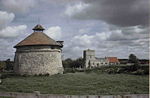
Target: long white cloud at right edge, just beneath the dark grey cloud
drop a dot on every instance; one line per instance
(129, 33)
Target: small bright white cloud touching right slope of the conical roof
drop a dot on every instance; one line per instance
(54, 32)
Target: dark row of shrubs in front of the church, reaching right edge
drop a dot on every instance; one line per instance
(132, 69)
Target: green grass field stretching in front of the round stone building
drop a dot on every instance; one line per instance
(78, 83)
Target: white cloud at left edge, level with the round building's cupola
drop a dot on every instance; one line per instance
(12, 31)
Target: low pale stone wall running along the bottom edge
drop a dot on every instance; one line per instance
(38, 95)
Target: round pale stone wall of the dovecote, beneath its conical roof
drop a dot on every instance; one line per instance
(38, 60)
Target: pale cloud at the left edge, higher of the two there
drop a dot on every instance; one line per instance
(5, 18)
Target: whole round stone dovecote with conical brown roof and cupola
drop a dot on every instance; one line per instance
(38, 54)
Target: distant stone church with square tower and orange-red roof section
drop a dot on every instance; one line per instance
(91, 61)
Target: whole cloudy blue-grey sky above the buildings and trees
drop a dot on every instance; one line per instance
(110, 27)
